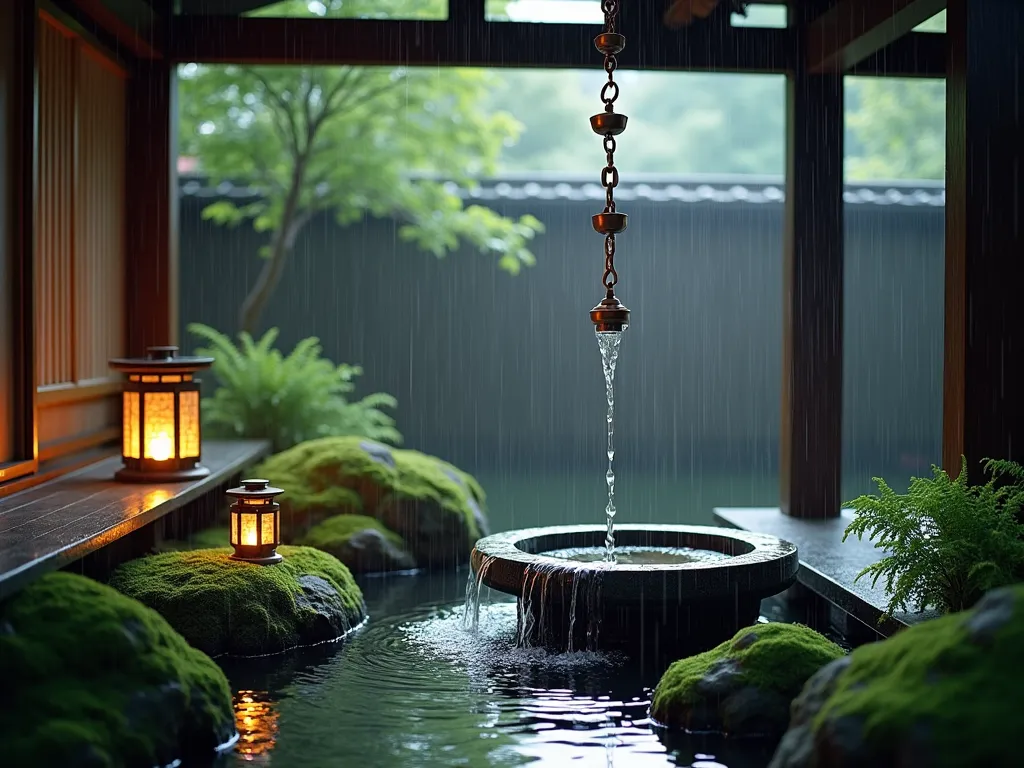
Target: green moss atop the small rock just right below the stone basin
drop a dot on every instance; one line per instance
(782, 660)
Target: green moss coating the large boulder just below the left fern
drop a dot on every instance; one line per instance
(338, 476)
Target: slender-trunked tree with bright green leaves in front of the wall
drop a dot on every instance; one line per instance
(352, 141)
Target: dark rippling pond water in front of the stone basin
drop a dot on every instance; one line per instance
(413, 690)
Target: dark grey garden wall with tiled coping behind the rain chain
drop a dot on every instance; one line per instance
(495, 371)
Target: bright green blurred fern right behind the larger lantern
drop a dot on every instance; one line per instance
(287, 399)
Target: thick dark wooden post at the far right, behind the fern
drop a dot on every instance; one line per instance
(984, 407)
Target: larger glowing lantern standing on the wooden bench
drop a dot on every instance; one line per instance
(161, 429)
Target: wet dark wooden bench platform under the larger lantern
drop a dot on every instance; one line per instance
(62, 522)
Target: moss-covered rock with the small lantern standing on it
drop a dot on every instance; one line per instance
(227, 607)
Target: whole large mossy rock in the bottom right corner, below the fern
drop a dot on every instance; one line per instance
(942, 695)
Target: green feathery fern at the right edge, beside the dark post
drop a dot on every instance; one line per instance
(949, 542)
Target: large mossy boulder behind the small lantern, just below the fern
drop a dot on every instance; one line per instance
(438, 509)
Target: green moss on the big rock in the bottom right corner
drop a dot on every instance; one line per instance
(940, 675)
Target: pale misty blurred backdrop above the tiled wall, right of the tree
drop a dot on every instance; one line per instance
(716, 123)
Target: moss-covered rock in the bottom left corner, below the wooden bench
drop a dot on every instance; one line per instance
(93, 678)
